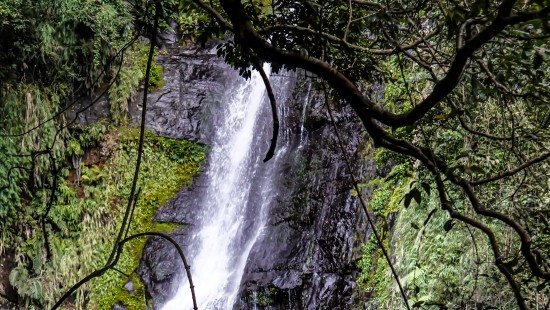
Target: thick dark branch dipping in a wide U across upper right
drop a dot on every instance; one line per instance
(248, 36)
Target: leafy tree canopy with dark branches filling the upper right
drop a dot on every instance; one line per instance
(465, 96)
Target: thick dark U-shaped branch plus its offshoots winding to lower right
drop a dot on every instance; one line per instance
(370, 113)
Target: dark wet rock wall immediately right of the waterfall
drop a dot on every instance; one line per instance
(316, 227)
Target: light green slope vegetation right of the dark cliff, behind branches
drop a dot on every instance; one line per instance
(441, 262)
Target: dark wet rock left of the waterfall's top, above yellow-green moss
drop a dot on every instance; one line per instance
(194, 82)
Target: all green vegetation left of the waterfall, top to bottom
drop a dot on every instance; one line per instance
(62, 187)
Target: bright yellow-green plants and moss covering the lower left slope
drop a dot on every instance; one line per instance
(87, 214)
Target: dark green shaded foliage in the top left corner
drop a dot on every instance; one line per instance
(67, 41)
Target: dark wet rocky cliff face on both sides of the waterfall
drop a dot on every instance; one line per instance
(306, 255)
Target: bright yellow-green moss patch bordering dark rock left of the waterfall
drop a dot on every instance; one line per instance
(167, 166)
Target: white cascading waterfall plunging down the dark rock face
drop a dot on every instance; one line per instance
(215, 267)
